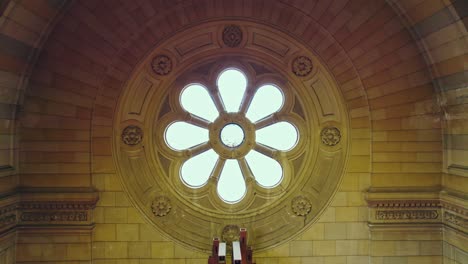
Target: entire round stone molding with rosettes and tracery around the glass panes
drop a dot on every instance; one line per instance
(151, 170)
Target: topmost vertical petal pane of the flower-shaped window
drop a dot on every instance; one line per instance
(232, 84)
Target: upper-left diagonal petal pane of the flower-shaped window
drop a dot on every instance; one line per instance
(196, 100)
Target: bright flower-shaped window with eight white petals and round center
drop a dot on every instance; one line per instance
(231, 134)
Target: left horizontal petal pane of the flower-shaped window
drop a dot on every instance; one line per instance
(182, 135)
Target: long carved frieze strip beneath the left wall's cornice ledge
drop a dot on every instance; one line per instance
(72, 216)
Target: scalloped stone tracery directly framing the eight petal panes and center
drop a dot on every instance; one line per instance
(180, 114)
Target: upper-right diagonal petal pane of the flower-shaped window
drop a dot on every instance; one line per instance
(267, 100)
